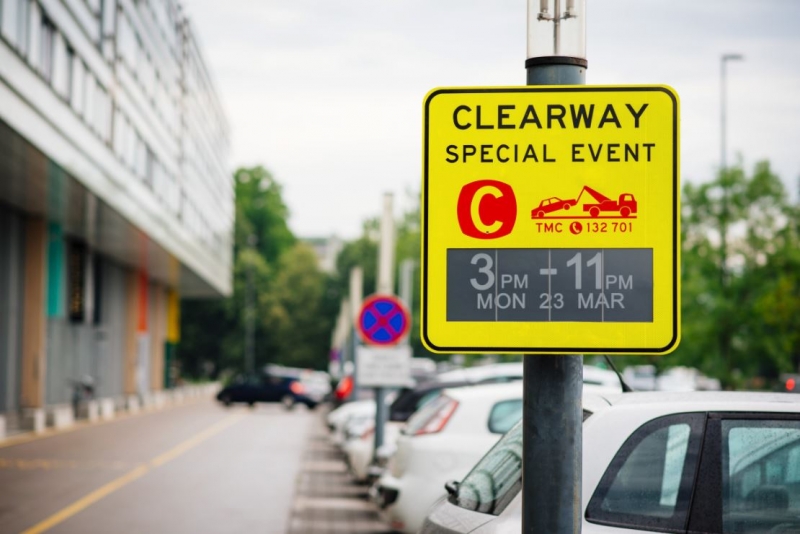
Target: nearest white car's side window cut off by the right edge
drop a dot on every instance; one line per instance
(760, 476)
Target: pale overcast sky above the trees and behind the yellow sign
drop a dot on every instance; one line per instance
(328, 94)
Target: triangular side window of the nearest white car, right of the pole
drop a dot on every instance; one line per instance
(649, 482)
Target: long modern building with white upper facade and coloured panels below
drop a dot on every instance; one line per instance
(115, 195)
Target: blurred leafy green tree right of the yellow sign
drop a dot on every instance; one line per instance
(728, 291)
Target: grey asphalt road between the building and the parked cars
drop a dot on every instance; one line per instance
(189, 469)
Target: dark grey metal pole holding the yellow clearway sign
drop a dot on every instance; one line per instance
(552, 437)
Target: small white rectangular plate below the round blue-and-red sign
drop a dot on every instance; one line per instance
(383, 366)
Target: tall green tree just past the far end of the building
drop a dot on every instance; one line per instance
(292, 304)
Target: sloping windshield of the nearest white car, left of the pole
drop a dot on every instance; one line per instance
(497, 477)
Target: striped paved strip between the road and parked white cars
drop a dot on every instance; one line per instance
(327, 501)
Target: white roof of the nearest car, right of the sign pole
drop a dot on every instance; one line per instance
(749, 401)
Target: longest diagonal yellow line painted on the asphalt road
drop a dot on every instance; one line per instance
(98, 494)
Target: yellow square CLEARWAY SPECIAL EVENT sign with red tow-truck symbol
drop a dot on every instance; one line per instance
(551, 220)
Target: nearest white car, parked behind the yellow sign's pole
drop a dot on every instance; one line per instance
(711, 462)
